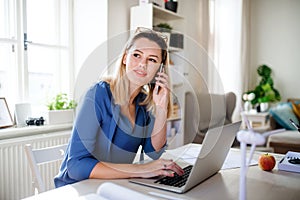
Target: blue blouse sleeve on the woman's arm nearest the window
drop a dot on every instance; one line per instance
(81, 162)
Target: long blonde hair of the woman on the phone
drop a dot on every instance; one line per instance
(119, 83)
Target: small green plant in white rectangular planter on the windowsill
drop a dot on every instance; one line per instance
(61, 109)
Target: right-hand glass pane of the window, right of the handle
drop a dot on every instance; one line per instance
(47, 31)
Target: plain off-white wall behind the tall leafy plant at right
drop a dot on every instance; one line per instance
(275, 40)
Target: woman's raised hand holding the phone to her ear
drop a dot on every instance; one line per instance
(161, 98)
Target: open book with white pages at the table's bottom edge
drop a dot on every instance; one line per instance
(111, 191)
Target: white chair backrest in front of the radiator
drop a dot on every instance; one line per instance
(42, 156)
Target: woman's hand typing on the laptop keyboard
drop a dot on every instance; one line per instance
(159, 167)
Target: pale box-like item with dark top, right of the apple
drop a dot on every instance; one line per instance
(286, 163)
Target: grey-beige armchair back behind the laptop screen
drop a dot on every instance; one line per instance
(214, 110)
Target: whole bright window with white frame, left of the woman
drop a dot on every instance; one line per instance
(36, 47)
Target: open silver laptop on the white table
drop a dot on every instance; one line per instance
(212, 155)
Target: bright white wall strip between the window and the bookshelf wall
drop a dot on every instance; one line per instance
(90, 36)
